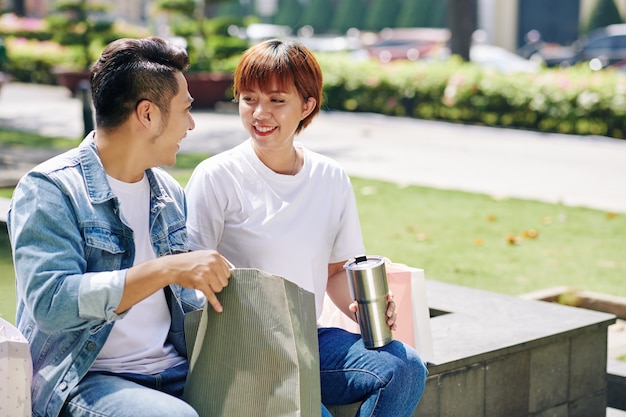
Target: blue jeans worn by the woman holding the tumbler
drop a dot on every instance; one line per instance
(389, 380)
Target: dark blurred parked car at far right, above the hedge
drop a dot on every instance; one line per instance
(604, 47)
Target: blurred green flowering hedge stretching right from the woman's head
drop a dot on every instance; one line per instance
(576, 100)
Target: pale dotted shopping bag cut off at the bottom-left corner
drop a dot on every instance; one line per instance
(16, 371)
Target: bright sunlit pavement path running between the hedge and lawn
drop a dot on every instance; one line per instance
(572, 170)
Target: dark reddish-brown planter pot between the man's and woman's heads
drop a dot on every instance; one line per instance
(208, 88)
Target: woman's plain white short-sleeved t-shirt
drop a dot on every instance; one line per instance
(292, 226)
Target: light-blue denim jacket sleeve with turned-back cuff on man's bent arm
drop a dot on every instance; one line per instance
(51, 243)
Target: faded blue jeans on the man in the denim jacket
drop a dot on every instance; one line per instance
(102, 394)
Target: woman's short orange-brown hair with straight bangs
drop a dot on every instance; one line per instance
(284, 64)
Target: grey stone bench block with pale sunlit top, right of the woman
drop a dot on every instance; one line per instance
(498, 355)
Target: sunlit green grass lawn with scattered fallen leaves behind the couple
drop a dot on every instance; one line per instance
(509, 246)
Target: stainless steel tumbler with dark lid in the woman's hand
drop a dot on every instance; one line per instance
(367, 280)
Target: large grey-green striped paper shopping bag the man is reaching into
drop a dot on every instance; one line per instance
(259, 357)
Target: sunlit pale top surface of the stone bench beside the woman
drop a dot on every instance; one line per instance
(481, 322)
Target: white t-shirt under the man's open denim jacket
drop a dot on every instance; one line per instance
(137, 343)
